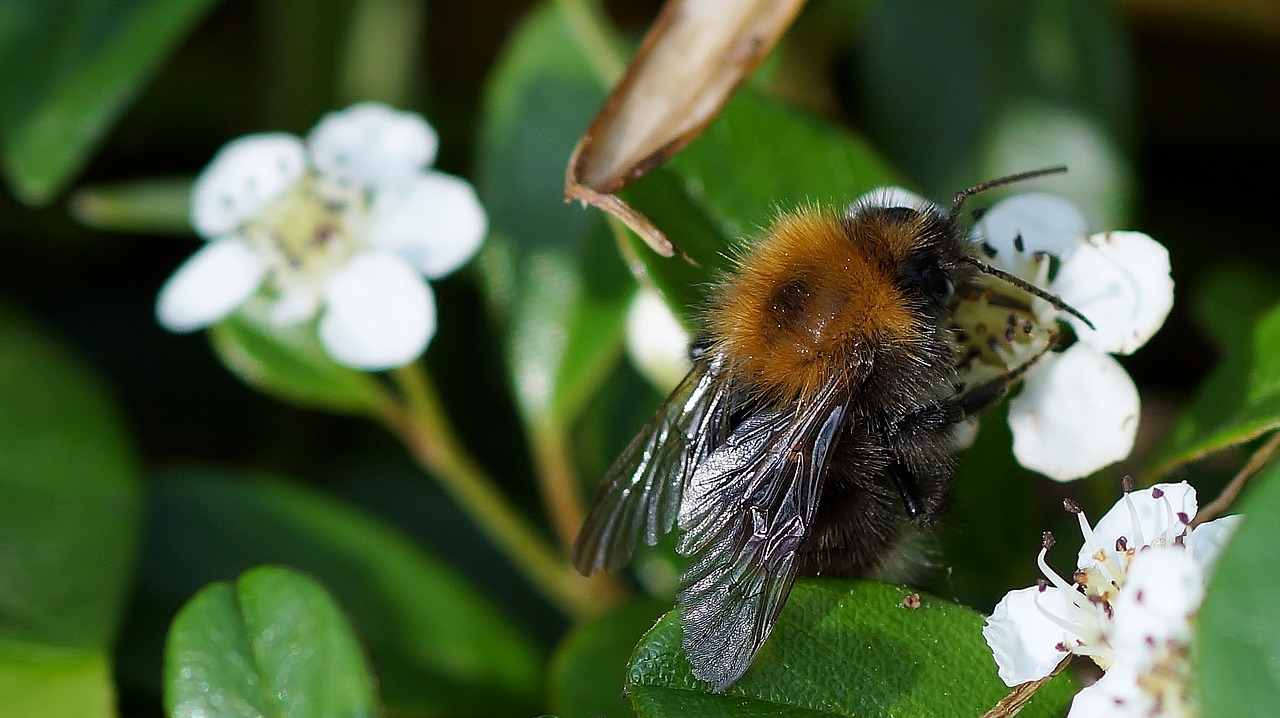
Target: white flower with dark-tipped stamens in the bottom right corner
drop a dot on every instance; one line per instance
(1130, 607)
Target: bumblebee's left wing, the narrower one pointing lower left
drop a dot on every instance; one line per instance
(641, 496)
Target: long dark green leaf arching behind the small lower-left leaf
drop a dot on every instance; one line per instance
(438, 647)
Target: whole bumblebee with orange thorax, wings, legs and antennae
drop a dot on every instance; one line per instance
(817, 424)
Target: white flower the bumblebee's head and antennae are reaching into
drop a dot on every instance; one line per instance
(1078, 410)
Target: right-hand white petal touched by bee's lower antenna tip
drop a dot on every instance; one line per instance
(1121, 281)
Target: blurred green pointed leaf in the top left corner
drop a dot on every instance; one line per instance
(68, 70)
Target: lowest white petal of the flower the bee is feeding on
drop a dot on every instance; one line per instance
(1077, 413)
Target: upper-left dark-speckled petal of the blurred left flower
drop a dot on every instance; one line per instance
(244, 177)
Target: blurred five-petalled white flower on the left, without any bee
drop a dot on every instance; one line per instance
(345, 226)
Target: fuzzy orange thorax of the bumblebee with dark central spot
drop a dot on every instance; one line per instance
(812, 303)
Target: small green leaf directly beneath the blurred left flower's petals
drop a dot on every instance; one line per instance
(290, 364)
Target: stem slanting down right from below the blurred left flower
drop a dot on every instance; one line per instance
(429, 437)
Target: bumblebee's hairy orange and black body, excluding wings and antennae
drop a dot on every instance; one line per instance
(838, 299)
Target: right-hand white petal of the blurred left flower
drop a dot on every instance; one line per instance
(437, 223)
